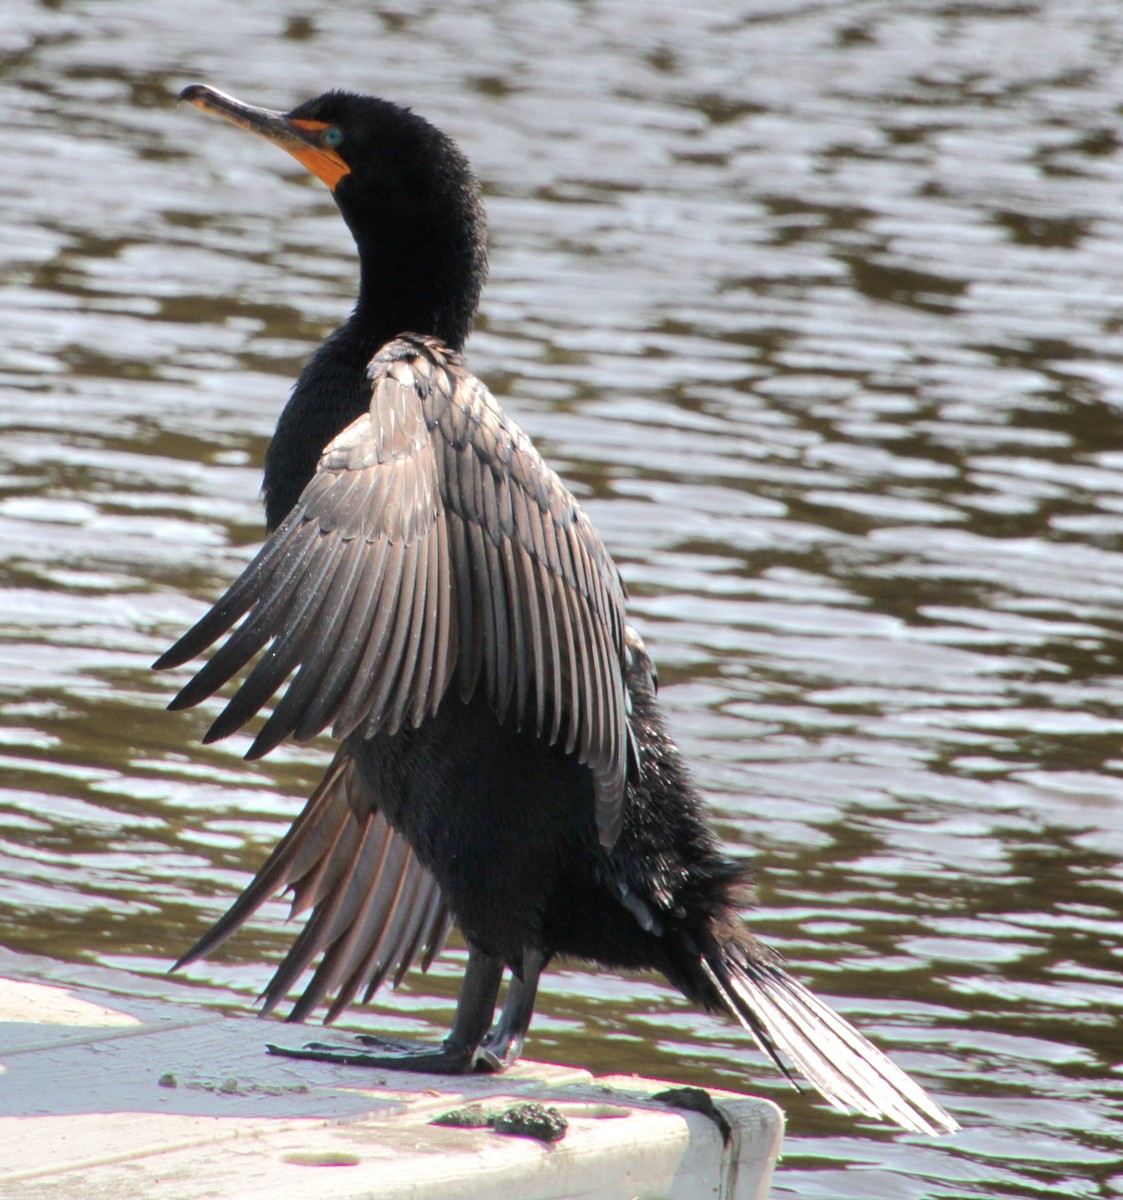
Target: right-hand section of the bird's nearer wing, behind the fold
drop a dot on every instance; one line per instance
(537, 589)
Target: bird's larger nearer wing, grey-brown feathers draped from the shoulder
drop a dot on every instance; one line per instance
(434, 543)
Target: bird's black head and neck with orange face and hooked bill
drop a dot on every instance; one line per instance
(406, 193)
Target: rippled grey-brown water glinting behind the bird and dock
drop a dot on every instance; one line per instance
(819, 307)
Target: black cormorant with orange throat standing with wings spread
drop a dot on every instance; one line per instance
(453, 617)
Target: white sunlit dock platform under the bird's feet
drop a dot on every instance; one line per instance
(109, 1091)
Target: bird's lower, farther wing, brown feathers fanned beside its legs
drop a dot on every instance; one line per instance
(375, 908)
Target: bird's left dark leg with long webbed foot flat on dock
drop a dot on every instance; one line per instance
(458, 1055)
